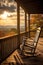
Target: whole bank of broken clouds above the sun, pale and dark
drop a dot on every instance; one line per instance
(5, 6)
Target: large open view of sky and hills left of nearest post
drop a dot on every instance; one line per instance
(8, 18)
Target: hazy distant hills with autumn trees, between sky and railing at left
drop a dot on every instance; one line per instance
(7, 30)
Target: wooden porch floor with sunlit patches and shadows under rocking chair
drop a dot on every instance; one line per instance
(16, 59)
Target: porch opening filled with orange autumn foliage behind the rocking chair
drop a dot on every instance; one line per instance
(35, 21)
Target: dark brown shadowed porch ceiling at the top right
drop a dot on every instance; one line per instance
(31, 6)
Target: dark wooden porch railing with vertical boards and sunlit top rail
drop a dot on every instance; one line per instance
(8, 44)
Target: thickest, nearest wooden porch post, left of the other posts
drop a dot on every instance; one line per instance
(18, 22)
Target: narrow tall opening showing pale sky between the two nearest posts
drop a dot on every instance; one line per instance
(22, 20)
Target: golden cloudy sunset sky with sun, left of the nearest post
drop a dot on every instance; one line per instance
(8, 12)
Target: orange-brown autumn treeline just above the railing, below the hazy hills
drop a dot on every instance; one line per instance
(7, 32)
